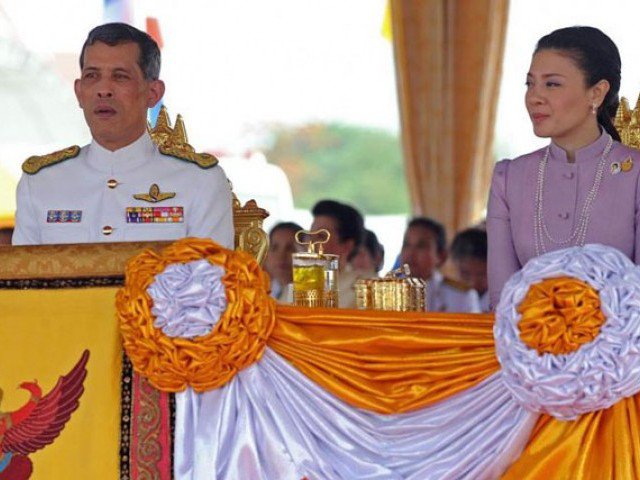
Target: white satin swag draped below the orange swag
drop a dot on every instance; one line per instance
(272, 422)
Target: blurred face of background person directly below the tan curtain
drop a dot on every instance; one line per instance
(420, 251)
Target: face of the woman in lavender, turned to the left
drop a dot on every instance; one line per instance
(558, 100)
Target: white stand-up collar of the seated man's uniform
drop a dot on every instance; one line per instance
(122, 160)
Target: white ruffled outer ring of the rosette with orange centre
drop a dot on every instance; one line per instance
(599, 373)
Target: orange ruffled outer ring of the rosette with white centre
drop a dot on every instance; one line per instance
(209, 361)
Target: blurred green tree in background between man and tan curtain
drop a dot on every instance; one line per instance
(357, 165)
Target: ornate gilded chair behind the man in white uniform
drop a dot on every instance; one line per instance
(247, 219)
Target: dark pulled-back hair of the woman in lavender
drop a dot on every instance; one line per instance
(598, 57)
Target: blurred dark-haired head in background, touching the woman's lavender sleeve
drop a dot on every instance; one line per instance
(469, 256)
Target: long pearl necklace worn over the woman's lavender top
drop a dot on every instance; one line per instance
(579, 233)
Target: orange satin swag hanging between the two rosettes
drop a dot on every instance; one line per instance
(387, 362)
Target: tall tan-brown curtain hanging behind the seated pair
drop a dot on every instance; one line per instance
(448, 56)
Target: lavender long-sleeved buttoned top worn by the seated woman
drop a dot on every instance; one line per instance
(615, 212)
